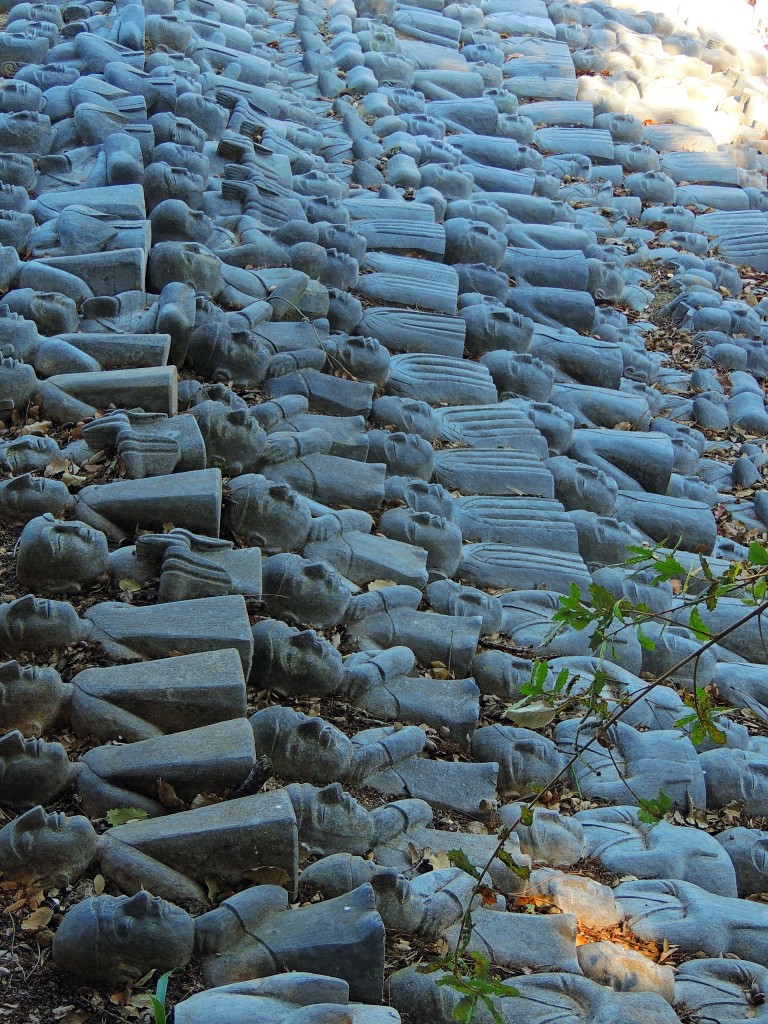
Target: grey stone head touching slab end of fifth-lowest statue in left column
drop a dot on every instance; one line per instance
(289, 657)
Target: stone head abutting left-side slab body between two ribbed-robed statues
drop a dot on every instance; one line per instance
(268, 516)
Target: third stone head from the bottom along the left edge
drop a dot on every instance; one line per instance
(32, 771)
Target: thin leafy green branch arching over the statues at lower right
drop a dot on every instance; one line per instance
(468, 973)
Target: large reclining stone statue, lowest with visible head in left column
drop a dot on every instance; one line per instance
(251, 935)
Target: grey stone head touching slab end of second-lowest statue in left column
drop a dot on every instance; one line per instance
(330, 821)
